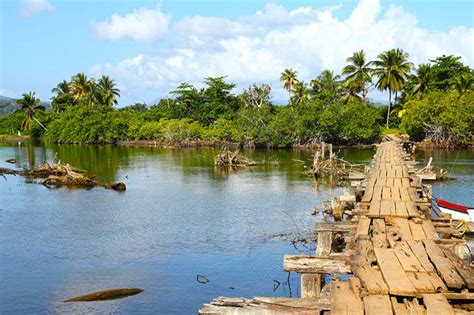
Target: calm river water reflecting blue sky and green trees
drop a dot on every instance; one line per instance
(179, 218)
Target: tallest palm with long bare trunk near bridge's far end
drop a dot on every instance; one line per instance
(392, 69)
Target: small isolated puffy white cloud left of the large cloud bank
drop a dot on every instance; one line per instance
(140, 25)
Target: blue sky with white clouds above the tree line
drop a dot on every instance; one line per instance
(149, 47)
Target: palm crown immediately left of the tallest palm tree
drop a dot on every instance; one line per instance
(359, 71)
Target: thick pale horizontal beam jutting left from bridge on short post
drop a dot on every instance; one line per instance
(306, 264)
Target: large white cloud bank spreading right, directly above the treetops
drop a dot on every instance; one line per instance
(257, 48)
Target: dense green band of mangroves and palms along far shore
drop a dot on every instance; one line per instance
(434, 101)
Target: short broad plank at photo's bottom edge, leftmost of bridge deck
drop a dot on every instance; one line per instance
(344, 301)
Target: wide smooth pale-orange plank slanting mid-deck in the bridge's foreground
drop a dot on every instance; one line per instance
(393, 273)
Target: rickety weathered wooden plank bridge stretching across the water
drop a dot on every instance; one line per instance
(398, 259)
